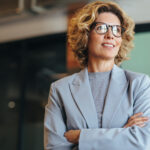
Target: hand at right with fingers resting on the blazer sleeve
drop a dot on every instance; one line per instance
(136, 119)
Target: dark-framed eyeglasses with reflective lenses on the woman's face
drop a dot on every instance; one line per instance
(102, 28)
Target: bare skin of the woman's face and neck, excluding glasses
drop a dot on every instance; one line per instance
(101, 57)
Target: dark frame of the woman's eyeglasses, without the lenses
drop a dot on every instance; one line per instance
(108, 26)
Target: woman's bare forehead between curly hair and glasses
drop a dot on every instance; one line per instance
(109, 18)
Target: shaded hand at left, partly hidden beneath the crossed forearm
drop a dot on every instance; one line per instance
(72, 136)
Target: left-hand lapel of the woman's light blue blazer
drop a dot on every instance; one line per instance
(81, 91)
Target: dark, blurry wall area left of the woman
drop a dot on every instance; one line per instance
(27, 68)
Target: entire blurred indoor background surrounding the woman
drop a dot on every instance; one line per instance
(34, 53)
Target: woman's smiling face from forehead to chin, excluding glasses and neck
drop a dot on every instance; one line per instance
(104, 46)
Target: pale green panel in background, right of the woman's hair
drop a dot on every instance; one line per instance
(140, 55)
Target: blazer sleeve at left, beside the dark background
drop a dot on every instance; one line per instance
(54, 124)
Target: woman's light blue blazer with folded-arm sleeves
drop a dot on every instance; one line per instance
(71, 106)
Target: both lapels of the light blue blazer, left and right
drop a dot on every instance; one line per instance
(81, 91)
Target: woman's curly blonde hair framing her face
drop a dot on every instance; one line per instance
(79, 28)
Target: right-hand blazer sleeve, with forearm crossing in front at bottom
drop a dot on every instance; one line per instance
(131, 138)
